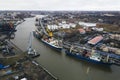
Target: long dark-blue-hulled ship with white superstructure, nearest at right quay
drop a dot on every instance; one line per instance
(88, 55)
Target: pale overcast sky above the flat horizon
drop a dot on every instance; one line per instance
(60, 5)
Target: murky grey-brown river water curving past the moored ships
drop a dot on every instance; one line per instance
(60, 65)
